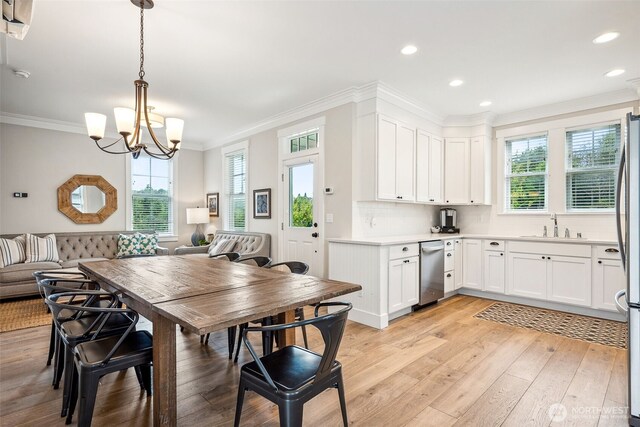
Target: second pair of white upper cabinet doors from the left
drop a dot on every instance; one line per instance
(429, 165)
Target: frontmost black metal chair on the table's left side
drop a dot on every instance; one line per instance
(104, 353)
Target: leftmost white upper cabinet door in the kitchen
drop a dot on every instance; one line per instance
(386, 173)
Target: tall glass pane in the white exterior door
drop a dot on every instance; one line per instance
(301, 195)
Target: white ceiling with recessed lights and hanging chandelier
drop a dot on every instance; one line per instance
(225, 65)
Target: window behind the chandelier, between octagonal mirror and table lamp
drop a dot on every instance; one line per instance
(152, 195)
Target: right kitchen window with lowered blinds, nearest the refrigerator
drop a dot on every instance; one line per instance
(592, 159)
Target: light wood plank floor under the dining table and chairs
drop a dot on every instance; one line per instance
(436, 367)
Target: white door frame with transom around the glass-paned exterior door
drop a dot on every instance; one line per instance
(284, 155)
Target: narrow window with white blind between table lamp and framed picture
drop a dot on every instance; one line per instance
(235, 191)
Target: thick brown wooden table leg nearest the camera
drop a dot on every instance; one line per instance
(164, 371)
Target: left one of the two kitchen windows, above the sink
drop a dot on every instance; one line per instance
(526, 174)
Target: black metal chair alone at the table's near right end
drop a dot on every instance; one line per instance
(292, 375)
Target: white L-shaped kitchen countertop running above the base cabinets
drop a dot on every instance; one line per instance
(415, 238)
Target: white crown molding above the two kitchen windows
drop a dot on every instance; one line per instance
(565, 107)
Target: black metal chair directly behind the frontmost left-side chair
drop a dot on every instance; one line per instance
(77, 323)
